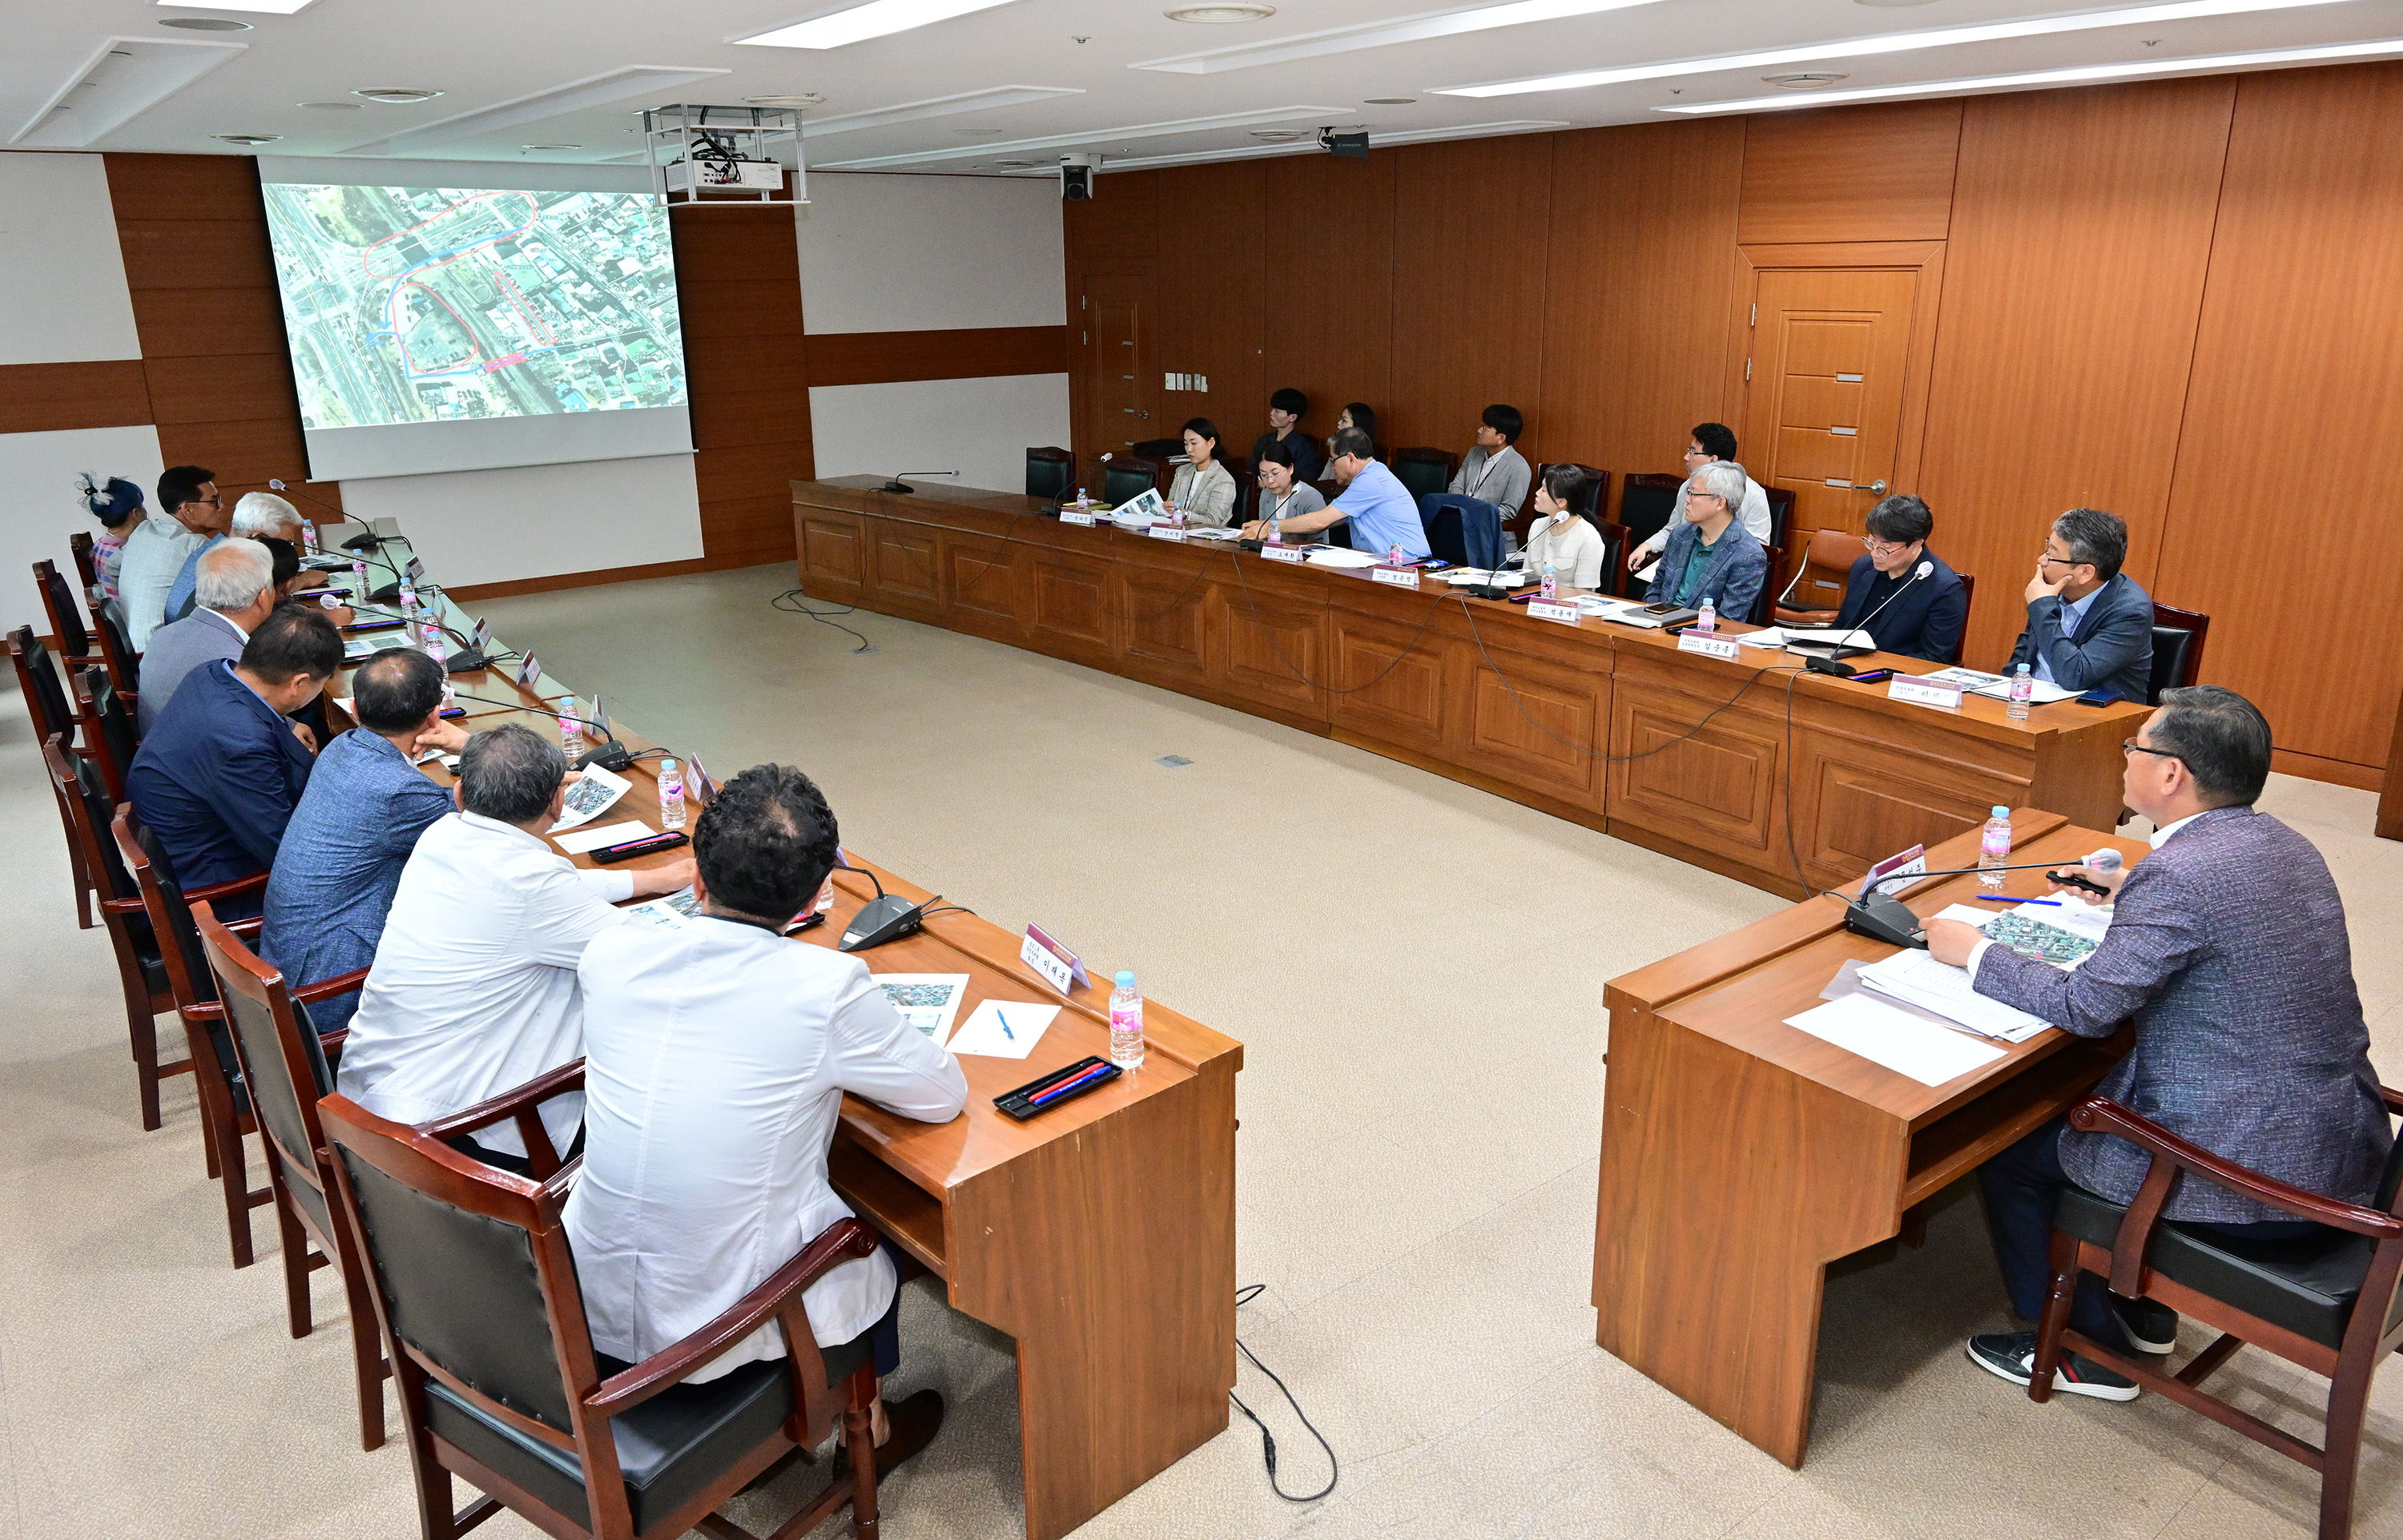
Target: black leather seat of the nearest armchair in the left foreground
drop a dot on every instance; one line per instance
(669, 1448)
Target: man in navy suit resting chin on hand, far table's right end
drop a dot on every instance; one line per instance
(2089, 623)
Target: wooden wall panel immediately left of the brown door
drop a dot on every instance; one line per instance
(1638, 290)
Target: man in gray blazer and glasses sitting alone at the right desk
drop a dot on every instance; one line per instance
(2229, 955)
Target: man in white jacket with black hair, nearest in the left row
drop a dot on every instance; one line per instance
(715, 1068)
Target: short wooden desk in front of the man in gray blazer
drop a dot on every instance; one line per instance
(1741, 1154)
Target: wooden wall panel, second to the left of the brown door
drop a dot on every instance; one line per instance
(1472, 232)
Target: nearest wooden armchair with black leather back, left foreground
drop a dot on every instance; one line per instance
(482, 1318)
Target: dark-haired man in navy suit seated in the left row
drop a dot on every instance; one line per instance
(222, 772)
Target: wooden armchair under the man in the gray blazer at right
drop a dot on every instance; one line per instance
(2327, 1303)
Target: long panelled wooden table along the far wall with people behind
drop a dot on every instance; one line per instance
(1791, 782)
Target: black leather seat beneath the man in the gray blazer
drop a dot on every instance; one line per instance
(2303, 1284)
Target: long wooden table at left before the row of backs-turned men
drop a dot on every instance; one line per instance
(1099, 1236)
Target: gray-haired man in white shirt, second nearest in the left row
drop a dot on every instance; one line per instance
(475, 984)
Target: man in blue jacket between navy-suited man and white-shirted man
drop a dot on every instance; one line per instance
(357, 823)
